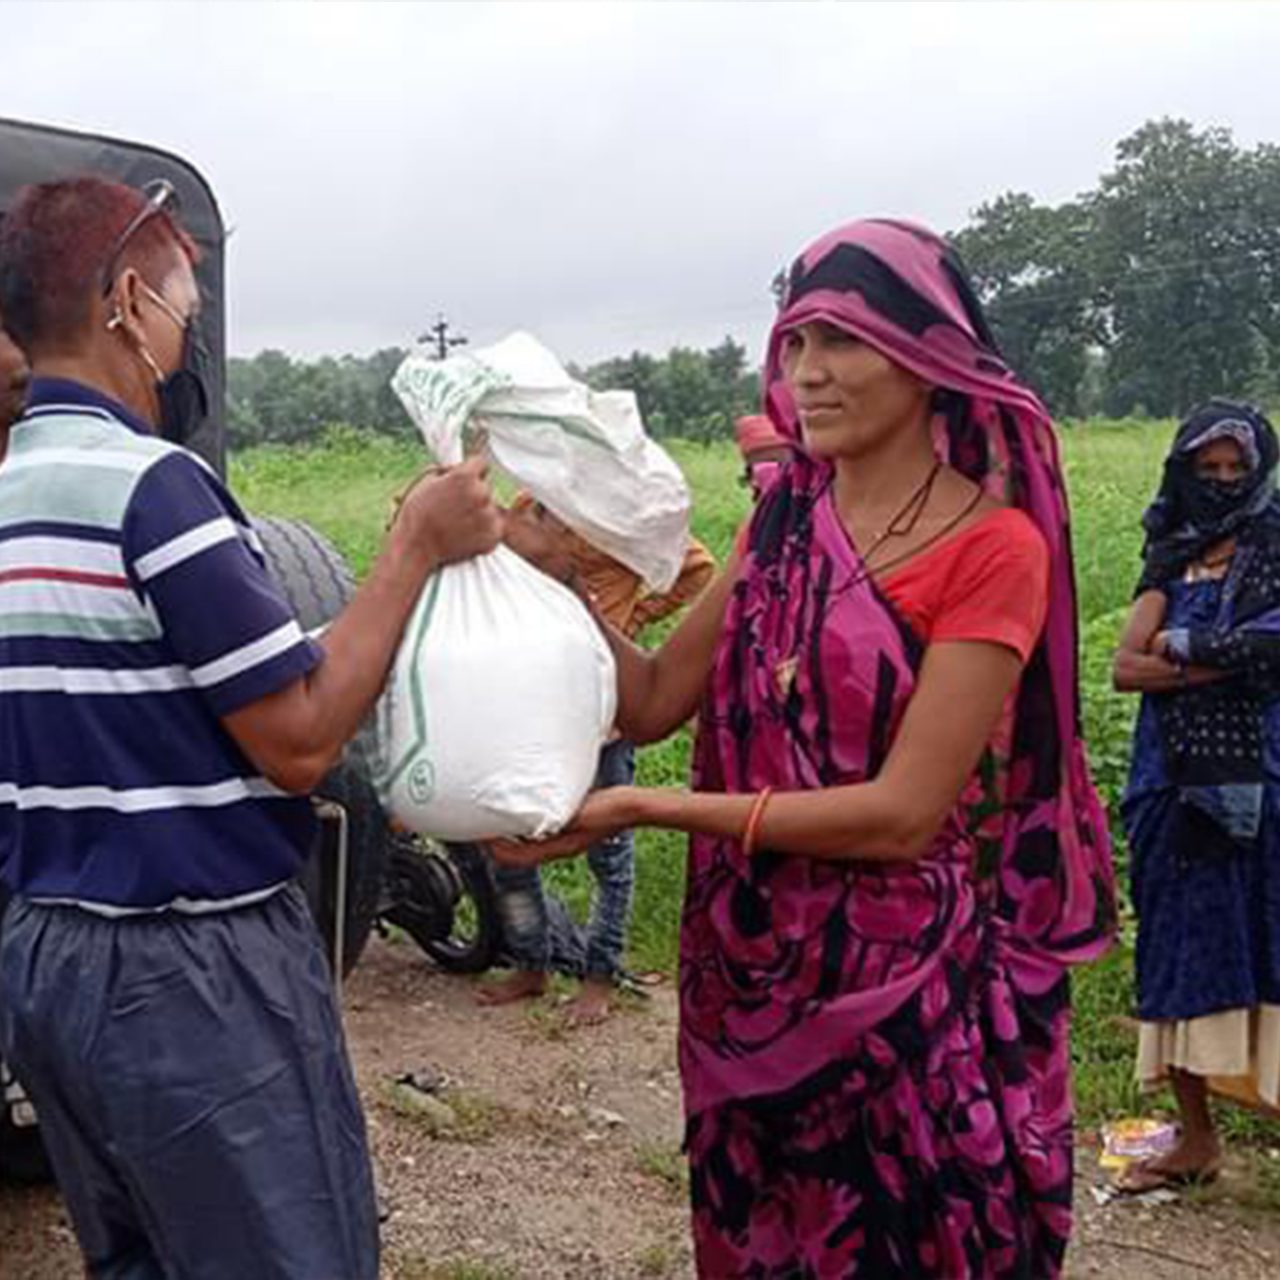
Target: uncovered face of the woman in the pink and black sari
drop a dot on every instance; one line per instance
(851, 399)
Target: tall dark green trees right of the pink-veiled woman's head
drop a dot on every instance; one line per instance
(1158, 289)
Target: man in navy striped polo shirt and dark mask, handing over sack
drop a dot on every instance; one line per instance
(163, 994)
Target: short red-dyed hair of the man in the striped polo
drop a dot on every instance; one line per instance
(54, 245)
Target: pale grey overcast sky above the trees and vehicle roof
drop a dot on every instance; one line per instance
(610, 176)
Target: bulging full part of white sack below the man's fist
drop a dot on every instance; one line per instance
(500, 701)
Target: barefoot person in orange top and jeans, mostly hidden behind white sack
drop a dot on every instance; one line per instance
(619, 595)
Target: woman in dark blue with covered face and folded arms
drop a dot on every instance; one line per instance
(1204, 648)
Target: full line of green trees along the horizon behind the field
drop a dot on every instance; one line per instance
(1155, 290)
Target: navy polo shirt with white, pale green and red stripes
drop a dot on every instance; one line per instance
(136, 610)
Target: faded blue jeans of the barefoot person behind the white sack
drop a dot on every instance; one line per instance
(541, 935)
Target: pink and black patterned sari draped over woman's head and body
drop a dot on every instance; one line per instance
(876, 1057)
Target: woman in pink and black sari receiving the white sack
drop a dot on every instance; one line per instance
(897, 849)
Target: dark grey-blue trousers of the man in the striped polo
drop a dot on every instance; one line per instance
(194, 1091)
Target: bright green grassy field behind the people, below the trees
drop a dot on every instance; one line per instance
(345, 490)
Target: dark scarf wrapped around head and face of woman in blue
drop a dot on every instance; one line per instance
(1192, 515)
